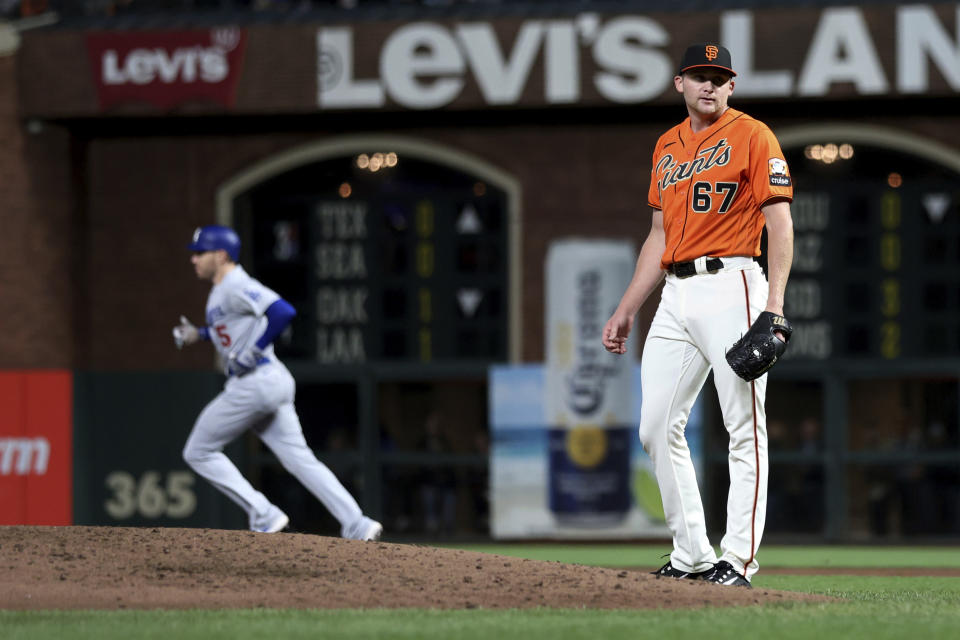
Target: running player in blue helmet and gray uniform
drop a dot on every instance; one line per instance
(243, 319)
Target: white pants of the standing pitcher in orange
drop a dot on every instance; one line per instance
(698, 319)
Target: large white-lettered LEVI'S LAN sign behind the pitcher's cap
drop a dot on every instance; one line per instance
(592, 59)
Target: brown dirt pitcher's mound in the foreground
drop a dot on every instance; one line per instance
(144, 568)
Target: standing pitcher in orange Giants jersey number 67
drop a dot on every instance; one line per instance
(718, 179)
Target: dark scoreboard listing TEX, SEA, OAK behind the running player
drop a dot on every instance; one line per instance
(406, 278)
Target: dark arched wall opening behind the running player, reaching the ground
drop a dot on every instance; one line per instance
(401, 257)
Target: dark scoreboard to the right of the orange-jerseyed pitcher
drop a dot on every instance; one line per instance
(875, 273)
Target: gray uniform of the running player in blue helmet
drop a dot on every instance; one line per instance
(261, 400)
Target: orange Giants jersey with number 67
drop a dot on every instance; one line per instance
(711, 185)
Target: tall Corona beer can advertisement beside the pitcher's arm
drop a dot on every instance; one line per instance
(587, 402)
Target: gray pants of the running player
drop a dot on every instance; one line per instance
(262, 400)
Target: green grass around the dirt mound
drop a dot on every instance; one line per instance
(872, 608)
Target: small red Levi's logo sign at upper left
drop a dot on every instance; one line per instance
(166, 68)
